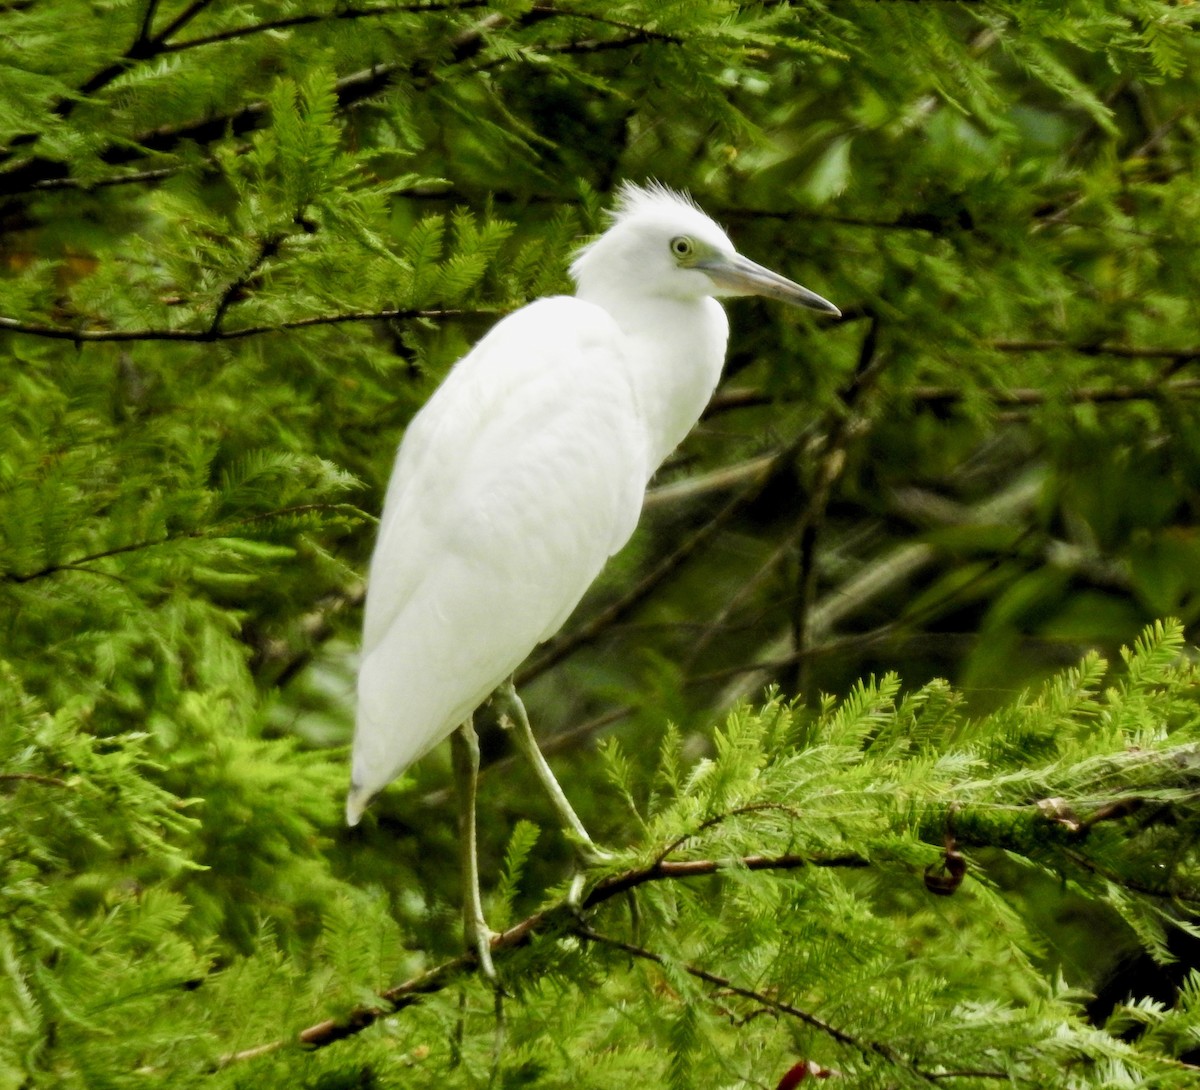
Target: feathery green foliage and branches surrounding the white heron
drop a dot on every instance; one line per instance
(239, 247)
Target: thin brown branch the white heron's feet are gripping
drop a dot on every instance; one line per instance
(557, 918)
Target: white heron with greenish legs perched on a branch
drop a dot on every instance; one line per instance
(523, 475)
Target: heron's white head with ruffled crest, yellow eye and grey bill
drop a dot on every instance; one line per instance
(661, 244)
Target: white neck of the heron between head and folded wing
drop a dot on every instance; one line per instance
(676, 354)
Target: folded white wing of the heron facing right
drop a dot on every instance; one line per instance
(521, 476)
